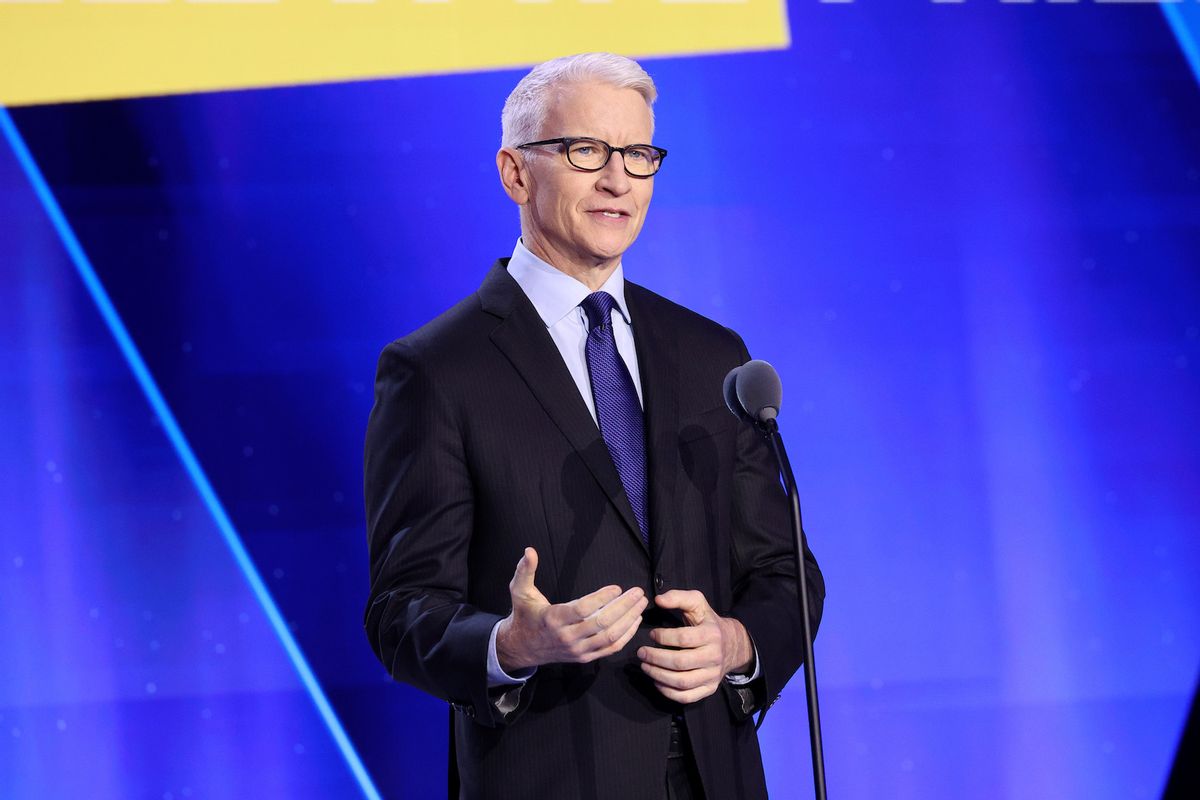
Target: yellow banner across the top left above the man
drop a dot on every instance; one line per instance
(56, 51)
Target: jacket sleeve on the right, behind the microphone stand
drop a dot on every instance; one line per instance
(765, 587)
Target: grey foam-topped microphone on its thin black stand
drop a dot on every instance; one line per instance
(754, 394)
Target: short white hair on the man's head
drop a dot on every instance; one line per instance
(527, 107)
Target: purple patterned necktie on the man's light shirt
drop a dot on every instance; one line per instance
(617, 407)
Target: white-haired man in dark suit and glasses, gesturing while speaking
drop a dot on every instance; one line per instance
(572, 539)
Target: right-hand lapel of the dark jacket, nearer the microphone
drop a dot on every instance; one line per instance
(659, 368)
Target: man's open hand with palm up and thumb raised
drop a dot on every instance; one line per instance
(584, 630)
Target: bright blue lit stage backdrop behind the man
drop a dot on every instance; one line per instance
(968, 237)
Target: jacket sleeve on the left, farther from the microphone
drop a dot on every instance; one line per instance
(421, 518)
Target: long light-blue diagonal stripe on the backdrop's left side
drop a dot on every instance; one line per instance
(176, 435)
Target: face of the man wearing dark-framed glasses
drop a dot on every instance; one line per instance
(567, 216)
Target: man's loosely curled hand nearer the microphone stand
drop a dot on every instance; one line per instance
(711, 648)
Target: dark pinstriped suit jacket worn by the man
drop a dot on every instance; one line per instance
(479, 446)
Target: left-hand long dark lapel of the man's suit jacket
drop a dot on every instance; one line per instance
(524, 340)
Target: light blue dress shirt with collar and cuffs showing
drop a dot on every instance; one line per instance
(557, 298)
